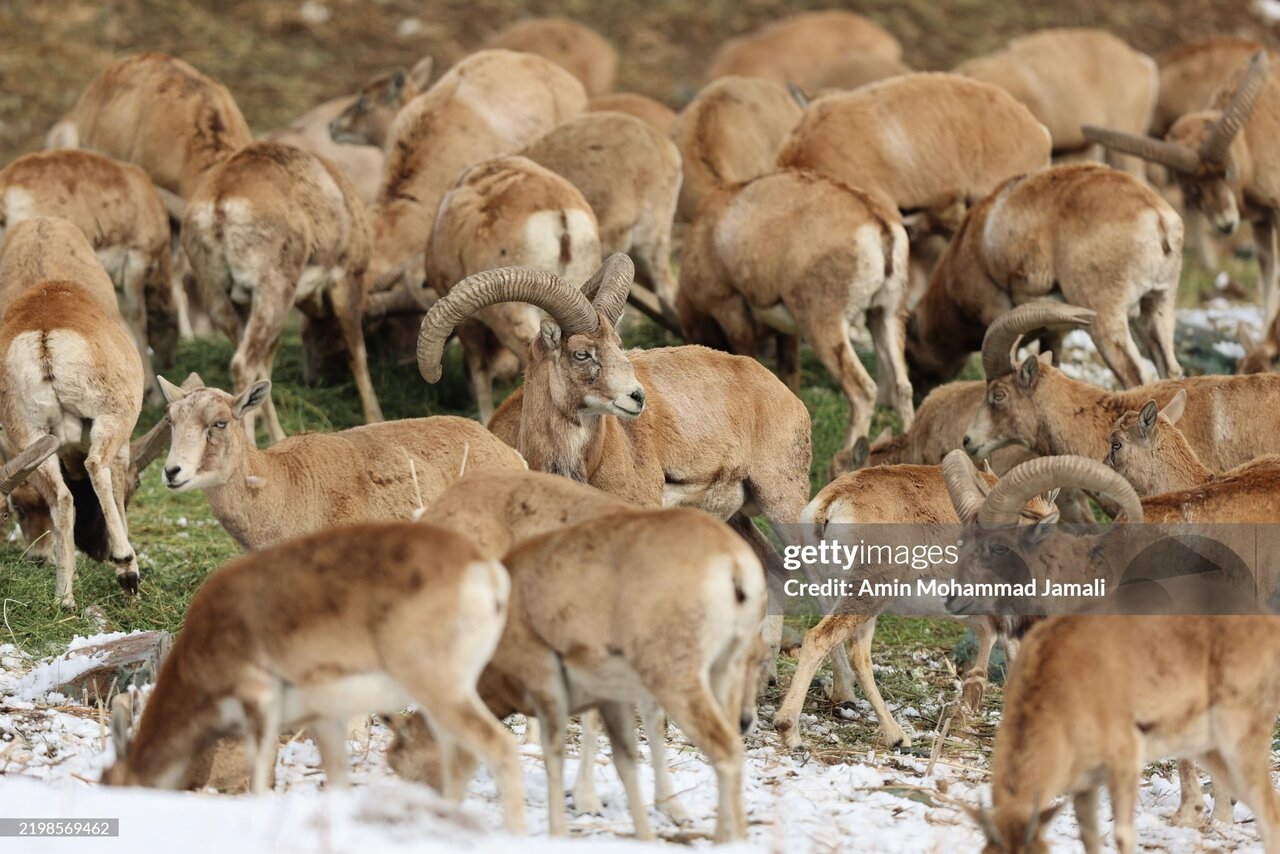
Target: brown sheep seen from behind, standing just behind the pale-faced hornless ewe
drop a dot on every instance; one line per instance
(272, 229)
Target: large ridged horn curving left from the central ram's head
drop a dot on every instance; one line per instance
(547, 291)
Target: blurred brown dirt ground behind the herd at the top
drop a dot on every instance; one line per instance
(282, 57)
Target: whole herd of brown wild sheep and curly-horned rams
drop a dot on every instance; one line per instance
(592, 550)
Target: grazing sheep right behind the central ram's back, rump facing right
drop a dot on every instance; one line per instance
(804, 257)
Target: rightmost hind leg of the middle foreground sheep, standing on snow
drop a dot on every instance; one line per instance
(694, 709)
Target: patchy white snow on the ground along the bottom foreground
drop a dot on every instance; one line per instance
(52, 753)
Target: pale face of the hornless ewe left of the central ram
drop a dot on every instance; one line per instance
(205, 441)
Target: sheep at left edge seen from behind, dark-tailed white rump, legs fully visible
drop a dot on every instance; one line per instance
(71, 371)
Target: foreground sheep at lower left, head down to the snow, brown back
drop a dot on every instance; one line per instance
(337, 624)
